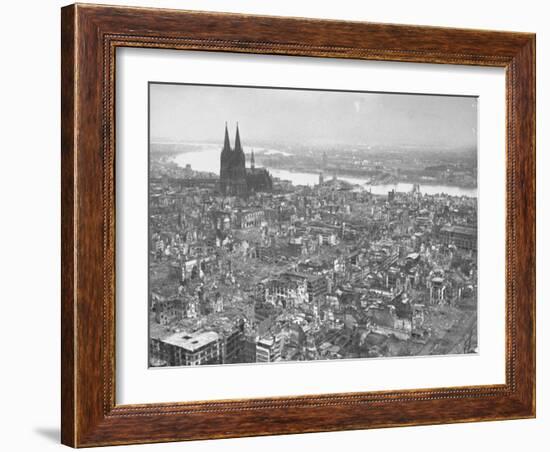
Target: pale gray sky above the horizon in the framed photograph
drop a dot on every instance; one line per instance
(198, 113)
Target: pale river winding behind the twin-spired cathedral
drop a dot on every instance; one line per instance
(208, 159)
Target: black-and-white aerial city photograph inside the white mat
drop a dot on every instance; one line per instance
(301, 225)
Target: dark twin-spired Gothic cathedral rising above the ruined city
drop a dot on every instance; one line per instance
(235, 178)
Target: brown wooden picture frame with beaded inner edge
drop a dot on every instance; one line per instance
(90, 35)
